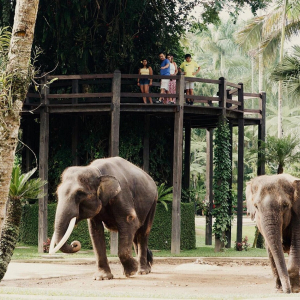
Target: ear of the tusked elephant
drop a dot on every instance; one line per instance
(109, 187)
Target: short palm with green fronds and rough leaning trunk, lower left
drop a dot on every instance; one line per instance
(21, 188)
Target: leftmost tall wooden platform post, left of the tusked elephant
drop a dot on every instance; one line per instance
(43, 169)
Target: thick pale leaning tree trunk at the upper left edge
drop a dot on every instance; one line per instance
(13, 94)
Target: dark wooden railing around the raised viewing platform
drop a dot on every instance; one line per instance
(98, 89)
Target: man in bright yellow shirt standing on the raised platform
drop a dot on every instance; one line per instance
(190, 69)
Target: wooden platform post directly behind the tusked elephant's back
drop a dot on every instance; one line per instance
(114, 139)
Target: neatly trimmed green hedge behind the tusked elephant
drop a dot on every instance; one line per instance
(159, 239)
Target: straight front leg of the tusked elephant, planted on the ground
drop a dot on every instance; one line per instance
(96, 230)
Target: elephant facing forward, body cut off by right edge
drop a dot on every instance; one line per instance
(274, 202)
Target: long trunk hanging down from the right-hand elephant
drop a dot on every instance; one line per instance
(273, 235)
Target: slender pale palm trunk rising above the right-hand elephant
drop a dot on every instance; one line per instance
(280, 129)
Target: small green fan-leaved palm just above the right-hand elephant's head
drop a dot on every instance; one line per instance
(279, 152)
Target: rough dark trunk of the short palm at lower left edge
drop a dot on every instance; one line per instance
(10, 234)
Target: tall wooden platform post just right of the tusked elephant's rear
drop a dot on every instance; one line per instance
(177, 168)
